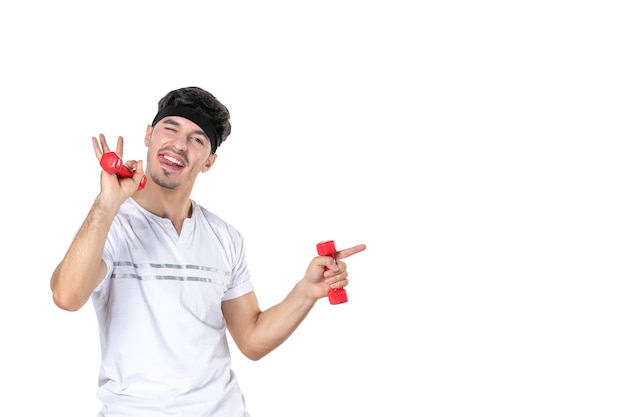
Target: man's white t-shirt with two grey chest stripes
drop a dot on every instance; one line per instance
(162, 332)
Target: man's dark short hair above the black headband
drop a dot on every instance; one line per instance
(200, 100)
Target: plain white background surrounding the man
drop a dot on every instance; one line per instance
(477, 148)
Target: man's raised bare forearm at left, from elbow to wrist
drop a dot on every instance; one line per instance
(82, 267)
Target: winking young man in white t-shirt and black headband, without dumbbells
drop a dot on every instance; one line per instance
(168, 278)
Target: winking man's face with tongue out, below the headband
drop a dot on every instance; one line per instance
(178, 150)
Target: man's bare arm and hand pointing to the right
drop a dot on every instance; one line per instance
(257, 332)
